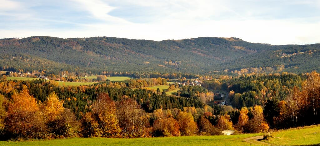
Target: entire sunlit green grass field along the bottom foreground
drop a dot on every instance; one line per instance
(299, 136)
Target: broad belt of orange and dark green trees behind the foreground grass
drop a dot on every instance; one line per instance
(42, 109)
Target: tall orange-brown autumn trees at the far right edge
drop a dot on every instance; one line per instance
(302, 106)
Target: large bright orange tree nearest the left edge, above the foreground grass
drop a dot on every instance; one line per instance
(24, 119)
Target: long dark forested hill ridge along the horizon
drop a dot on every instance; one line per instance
(197, 55)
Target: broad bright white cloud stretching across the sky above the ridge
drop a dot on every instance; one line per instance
(179, 19)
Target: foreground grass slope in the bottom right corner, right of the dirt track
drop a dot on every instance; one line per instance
(309, 135)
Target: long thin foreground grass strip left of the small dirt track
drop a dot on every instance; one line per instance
(161, 141)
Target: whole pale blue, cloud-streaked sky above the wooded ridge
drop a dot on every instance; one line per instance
(276, 22)
